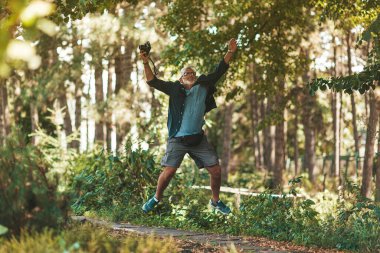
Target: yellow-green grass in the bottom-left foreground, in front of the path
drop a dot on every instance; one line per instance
(85, 238)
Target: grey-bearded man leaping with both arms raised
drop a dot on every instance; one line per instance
(190, 99)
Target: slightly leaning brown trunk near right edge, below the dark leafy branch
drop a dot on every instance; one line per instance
(369, 146)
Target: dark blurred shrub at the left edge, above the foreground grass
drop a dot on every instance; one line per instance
(28, 194)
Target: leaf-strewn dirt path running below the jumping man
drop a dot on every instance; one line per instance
(190, 241)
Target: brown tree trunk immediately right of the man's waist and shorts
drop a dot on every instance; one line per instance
(227, 140)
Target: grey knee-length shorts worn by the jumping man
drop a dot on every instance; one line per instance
(204, 154)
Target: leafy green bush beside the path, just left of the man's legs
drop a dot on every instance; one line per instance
(101, 180)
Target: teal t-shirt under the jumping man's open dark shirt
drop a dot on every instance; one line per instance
(194, 111)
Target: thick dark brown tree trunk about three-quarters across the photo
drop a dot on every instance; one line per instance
(279, 143)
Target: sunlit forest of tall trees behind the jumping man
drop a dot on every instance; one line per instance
(301, 94)
